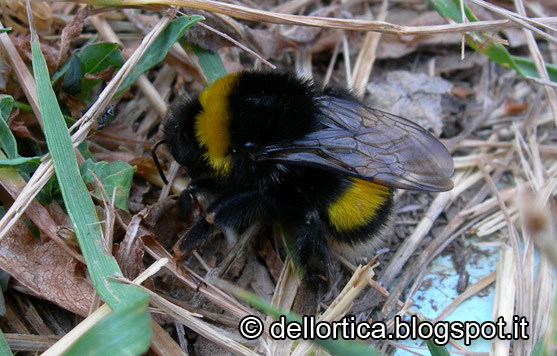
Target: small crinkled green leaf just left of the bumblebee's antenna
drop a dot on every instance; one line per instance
(116, 177)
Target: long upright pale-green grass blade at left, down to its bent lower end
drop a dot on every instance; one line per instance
(78, 202)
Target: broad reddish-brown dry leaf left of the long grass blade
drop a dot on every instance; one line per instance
(45, 269)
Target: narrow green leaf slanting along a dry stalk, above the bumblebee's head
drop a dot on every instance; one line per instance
(158, 50)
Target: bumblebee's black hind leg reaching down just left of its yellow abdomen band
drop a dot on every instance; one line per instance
(308, 247)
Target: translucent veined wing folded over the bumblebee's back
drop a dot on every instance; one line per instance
(372, 145)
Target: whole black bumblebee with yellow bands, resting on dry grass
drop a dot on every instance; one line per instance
(272, 148)
